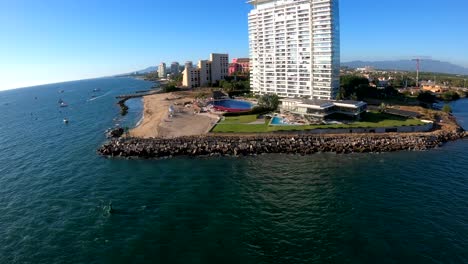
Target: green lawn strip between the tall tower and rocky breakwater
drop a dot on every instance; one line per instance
(370, 120)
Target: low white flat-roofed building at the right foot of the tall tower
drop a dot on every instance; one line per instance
(321, 109)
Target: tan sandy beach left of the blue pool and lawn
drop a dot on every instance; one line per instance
(156, 121)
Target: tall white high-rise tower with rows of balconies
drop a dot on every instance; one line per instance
(295, 48)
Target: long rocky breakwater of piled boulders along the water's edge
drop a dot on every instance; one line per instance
(289, 144)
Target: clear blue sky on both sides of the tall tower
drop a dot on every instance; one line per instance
(58, 40)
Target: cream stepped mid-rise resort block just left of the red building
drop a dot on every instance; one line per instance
(207, 72)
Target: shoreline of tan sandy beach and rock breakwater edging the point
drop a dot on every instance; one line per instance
(170, 126)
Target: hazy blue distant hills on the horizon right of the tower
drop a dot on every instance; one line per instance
(408, 65)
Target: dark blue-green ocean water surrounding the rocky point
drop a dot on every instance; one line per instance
(406, 207)
